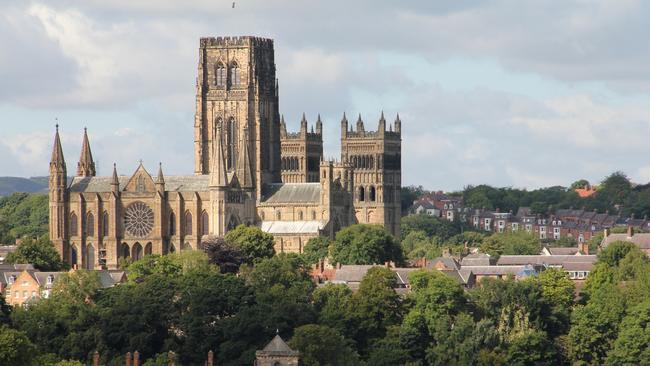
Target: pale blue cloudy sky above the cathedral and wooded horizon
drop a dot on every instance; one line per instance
(507, 93)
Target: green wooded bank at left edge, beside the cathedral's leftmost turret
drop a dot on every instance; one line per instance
(23, 215)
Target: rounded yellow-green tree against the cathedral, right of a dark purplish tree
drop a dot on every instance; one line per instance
(252, 242)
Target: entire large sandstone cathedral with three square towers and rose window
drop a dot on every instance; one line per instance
(247, 170)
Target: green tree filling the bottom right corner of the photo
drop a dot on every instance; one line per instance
(632, 347)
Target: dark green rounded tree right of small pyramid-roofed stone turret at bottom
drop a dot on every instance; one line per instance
(322, 346)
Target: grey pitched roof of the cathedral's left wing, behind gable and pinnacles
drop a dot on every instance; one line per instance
(190, 183)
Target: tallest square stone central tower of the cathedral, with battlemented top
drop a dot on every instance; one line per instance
(237, 102)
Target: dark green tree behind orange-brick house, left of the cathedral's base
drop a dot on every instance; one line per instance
(40, 253)
